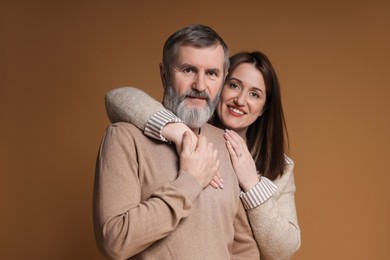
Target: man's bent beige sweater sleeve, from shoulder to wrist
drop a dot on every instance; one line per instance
(125, 225)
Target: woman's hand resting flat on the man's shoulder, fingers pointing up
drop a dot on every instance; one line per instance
(242, 161)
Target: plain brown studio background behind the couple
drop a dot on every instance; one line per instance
(59, 58)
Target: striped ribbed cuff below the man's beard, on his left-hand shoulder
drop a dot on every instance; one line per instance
(156, 123)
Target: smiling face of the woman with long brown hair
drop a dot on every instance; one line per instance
(243, 98)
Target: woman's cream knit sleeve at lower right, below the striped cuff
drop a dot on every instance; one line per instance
(274, 223)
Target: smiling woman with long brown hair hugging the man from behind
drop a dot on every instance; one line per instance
(250, 107)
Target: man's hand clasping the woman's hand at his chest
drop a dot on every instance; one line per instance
(202, 163)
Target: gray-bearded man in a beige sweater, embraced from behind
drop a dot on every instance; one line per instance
(148, 204)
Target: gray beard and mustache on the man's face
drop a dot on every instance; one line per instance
(192, 117)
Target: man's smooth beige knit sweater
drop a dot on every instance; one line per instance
(145, 209)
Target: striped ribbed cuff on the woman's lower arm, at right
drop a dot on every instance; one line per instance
(258, 194)
